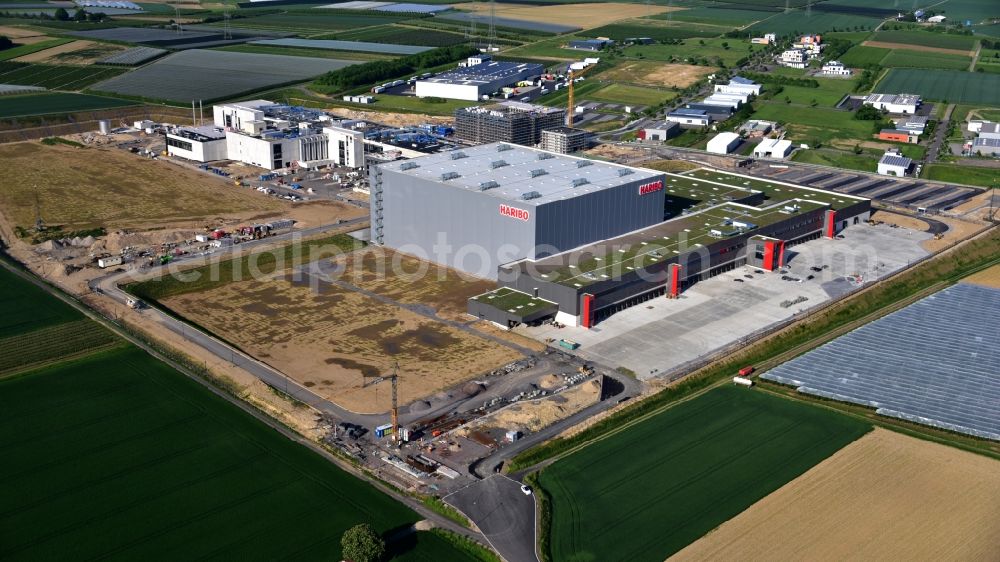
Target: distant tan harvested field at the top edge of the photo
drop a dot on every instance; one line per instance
(582, 15)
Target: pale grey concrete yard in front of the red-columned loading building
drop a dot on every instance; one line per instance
(661, 335)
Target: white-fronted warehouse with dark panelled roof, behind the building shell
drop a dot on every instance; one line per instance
(480, 77)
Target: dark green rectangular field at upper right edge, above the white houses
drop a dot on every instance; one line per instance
(951, 85)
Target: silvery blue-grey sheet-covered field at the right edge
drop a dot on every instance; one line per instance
(935, 362)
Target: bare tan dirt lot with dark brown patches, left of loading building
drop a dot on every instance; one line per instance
(326, 339)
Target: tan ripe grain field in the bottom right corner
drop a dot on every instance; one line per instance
(884, 497)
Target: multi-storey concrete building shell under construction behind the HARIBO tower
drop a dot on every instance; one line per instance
(509, 121)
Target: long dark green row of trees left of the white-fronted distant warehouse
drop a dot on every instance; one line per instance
(380, 70)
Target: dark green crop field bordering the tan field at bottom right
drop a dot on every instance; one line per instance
(647, 492)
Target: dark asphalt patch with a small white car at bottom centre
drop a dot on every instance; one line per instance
(504, 514)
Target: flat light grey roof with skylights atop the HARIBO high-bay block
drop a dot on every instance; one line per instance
(512, 172)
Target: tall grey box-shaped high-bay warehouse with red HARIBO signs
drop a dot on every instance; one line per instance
(480, 207)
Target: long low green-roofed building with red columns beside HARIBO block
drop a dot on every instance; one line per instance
(724, 224)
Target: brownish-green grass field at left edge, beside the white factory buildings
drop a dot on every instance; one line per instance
(157, 193)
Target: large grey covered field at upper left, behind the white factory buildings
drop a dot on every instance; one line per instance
(211, 75)
